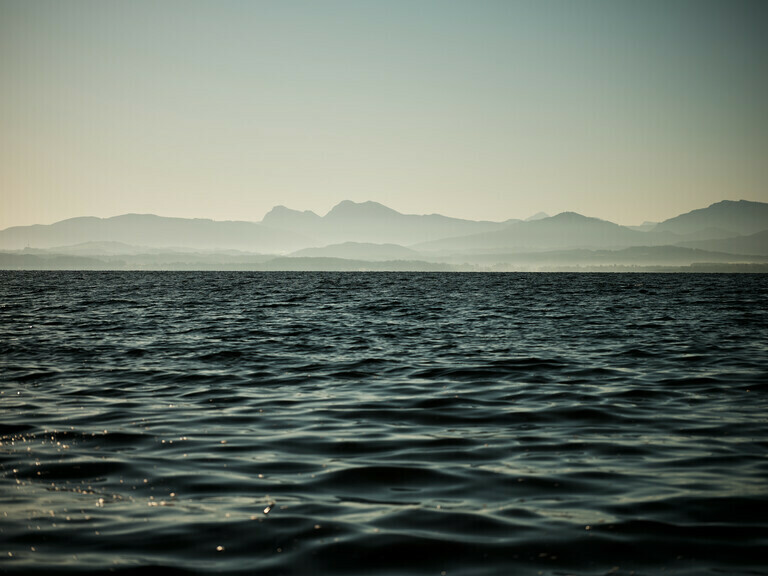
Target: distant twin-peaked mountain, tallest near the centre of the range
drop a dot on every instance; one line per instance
(372, 222)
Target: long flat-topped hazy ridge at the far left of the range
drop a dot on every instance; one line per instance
(155, 231)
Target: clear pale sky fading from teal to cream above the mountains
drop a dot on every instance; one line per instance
(626, 111)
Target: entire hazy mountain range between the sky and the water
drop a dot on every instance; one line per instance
(369, 235)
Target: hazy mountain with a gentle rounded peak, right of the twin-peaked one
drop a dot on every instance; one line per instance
(566, 230)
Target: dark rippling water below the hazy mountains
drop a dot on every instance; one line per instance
(382, 423)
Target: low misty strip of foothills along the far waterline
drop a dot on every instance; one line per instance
(635, 258)
